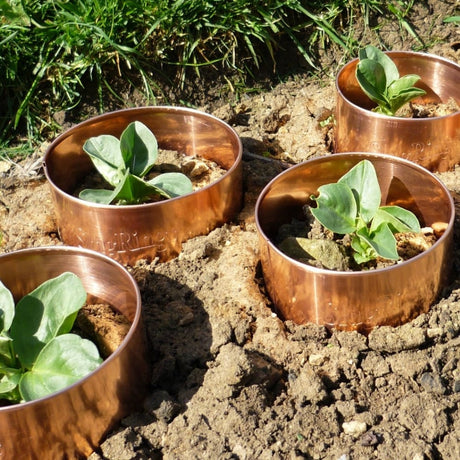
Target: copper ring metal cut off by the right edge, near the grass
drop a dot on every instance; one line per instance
(430, 142)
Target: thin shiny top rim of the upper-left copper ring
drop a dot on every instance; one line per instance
(117, 113)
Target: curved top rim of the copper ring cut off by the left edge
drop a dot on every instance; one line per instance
(134, 324)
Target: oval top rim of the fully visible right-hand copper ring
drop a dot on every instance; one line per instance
(356, 273)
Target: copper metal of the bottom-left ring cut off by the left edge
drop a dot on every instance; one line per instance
(70, 423)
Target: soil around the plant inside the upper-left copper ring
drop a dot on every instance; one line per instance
(200, 171)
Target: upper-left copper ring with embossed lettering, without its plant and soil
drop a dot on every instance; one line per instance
(128, 233)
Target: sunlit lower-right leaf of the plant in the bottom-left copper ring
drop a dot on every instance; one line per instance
(62, 362)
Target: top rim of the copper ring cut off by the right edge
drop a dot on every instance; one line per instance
(396, 53)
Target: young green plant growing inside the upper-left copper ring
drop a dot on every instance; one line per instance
(124, 163)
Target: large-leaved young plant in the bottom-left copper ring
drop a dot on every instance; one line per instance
(38, 355)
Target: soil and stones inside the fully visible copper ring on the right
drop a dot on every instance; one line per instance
(311, 243)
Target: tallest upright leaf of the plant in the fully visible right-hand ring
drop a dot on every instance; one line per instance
(363, 182)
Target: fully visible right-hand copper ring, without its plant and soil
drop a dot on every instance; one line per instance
(354, 300)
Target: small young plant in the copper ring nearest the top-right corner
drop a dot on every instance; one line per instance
(379, 78)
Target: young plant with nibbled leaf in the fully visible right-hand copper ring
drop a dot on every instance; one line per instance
(352, 206)
